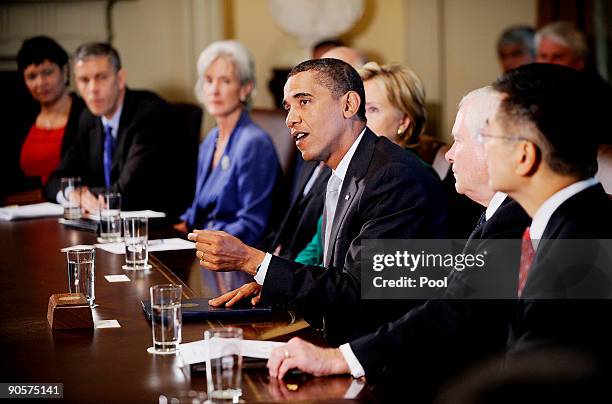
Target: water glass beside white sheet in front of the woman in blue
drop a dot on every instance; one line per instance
(136, 237)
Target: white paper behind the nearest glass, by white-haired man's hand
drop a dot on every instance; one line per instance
(195, 352)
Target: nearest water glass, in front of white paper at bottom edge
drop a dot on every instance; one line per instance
(224, 364)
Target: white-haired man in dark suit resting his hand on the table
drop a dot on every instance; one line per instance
(433, 341)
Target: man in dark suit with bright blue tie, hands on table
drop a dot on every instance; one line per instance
(124, 143)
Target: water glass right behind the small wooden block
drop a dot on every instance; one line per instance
(81, 272)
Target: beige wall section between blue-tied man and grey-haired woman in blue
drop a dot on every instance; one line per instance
(160, 41)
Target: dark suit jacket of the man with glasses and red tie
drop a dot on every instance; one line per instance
(566, 301)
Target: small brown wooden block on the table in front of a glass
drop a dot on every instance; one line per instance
(68, 311)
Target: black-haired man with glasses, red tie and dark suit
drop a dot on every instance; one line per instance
(542, 150)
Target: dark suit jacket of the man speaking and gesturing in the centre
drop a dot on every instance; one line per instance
(387, 193)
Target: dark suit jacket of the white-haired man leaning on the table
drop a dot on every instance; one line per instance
(437, 339)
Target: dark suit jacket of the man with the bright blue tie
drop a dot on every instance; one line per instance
(145, 162)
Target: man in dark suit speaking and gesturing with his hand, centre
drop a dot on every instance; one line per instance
(377, 190)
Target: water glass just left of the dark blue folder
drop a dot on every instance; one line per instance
(166, 317)
